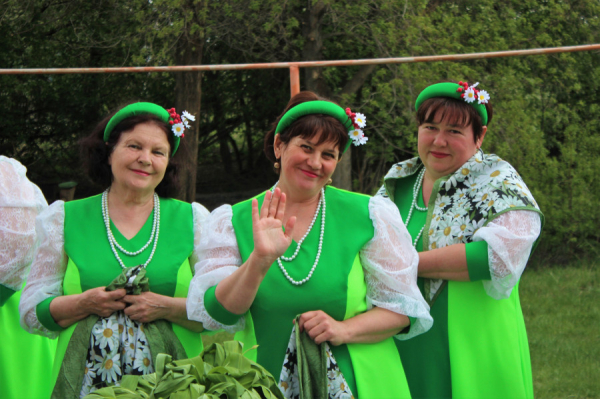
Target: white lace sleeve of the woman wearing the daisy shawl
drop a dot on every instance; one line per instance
(510, 238)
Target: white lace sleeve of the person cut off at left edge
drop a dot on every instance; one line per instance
(20, 203)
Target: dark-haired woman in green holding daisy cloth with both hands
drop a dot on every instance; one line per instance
(112, 271)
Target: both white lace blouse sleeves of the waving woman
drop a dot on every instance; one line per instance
(388, 259)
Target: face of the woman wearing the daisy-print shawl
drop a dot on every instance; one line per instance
(444, 147)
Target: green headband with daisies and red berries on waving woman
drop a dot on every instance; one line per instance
(353, 122)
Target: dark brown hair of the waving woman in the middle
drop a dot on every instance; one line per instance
(307, 127)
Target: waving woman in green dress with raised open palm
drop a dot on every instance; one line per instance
(343, 262)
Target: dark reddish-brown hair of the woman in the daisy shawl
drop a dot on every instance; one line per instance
(456, 112)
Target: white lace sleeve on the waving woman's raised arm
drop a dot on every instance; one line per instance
(219, 257)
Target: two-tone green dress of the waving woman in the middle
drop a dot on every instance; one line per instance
(337, 287)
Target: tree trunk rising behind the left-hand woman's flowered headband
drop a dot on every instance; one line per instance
(188, 91)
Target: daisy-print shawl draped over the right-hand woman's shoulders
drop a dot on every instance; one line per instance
(461, 203)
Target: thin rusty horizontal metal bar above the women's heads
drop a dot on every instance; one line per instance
(304, 64)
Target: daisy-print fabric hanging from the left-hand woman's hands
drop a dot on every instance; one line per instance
(118, 346)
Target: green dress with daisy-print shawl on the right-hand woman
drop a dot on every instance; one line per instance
(478, 345)
